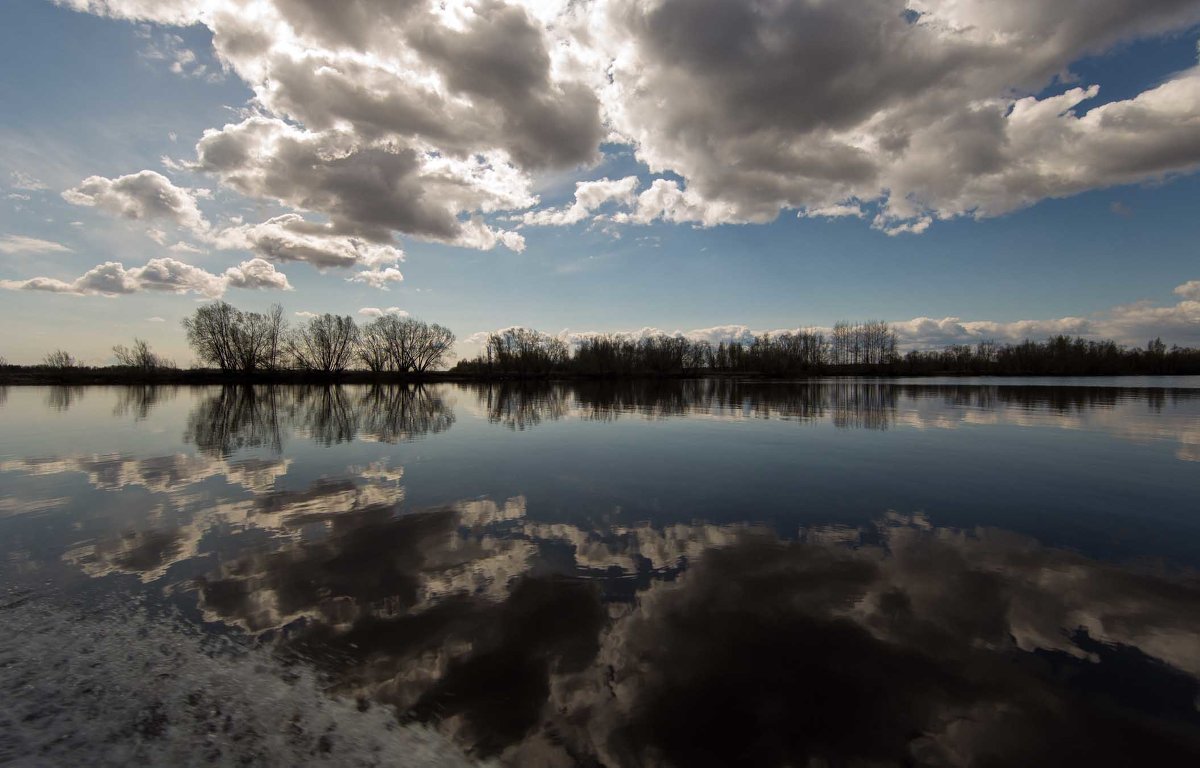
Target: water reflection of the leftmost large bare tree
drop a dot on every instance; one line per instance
(237, 418)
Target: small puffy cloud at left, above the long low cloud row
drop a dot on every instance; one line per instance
(143, 196)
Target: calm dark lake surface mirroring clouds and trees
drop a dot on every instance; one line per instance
(921, 572)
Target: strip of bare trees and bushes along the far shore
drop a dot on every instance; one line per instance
(235, 347)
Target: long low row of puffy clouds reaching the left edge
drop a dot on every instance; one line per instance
(169, 275)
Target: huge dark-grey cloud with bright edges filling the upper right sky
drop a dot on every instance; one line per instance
(923, 109)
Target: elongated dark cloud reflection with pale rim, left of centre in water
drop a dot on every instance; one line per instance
(369, 561)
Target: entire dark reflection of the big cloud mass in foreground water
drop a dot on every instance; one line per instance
(891, 645)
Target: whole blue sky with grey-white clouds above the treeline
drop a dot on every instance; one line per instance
(962, 169)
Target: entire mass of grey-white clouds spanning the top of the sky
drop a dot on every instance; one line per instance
(421, 117)
